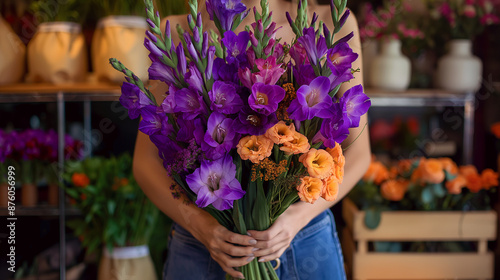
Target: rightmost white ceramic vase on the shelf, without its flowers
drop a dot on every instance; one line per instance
(459, 70)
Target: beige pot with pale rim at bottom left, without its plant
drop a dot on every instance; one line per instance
(127, 263)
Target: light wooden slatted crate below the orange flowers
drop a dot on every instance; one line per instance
(411, 226)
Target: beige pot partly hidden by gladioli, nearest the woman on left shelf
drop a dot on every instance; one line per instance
(120, 37)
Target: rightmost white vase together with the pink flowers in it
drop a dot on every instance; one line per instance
(459, 22)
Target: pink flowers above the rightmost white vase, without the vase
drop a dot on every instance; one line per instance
(463, 19)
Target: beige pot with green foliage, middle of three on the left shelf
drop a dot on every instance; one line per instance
(57, 53)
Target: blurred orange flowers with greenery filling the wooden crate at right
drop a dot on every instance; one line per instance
(435, 184)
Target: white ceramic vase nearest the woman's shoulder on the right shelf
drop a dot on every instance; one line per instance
(390, 70)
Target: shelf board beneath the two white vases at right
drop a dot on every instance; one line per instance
(419, 98)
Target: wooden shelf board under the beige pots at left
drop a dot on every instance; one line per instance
(50, 92)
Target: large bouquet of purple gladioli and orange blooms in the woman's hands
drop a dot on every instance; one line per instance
(250, 124)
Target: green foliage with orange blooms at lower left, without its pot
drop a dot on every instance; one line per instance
(115, 211)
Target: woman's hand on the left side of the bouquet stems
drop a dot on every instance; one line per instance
(227, 248)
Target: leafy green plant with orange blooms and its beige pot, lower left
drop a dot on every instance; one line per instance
(116, 215)
